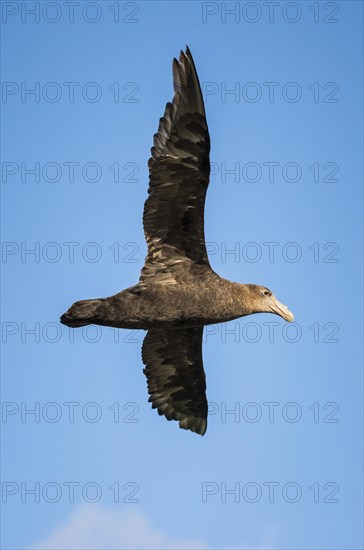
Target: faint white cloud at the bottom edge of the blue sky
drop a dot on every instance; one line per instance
(92, 527)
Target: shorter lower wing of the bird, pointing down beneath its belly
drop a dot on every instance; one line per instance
(175, 375)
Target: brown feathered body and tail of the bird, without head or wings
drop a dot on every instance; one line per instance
(204, 300)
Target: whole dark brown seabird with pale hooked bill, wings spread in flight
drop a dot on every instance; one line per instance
(178, 292)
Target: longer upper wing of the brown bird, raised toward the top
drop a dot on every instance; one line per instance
(179, 171)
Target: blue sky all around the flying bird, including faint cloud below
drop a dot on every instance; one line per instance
(101, 83)
